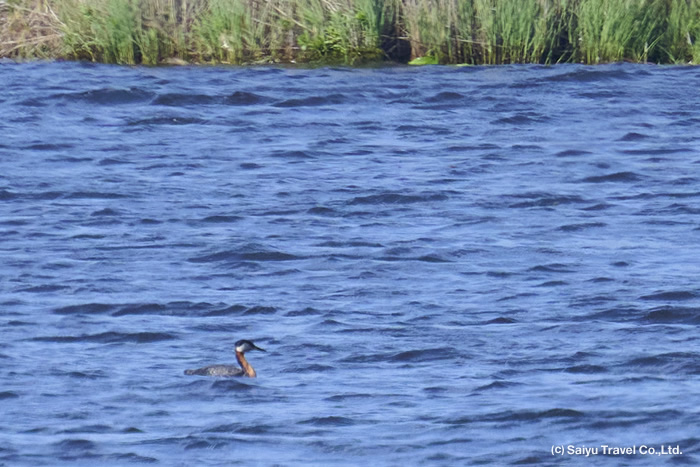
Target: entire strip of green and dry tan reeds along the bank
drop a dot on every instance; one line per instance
(352, 31)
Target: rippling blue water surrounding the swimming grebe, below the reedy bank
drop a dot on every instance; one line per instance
(447, 266)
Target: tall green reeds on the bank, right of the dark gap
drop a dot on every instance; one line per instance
(553, 31)
